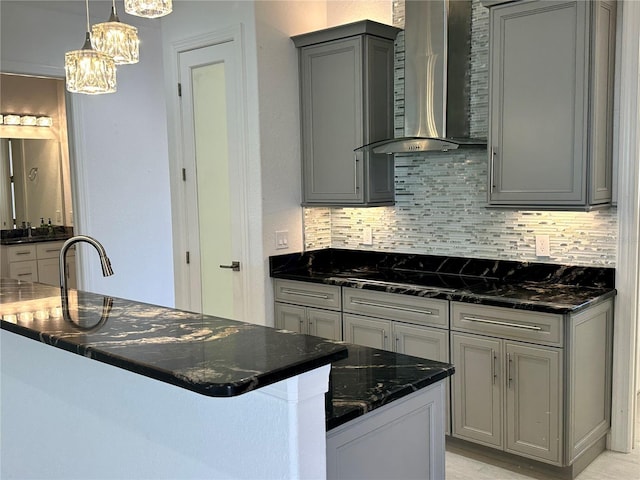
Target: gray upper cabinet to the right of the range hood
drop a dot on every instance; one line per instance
(551, 103)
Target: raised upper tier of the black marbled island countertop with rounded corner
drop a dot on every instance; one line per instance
(205, 354)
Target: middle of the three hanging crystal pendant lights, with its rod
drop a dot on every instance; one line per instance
(116, 39)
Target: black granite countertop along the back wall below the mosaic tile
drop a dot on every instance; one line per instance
(539, 287)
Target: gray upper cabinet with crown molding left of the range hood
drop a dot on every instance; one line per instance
(346, 94)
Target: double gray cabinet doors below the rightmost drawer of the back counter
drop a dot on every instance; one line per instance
(499, 381)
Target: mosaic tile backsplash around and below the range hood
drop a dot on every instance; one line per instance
(441, 198)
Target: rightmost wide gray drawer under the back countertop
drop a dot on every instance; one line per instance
(545, 328)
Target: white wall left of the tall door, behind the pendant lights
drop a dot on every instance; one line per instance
(122, 191)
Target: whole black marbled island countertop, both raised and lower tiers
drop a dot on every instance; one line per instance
(210, 355)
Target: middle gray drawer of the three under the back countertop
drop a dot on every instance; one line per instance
(395, 306)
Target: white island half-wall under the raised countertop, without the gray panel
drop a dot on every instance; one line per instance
(66, 416)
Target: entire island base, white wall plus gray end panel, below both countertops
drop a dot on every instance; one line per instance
(66, 416)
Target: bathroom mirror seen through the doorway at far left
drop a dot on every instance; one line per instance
(31, 178)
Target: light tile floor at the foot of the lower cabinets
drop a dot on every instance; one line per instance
(608, 466)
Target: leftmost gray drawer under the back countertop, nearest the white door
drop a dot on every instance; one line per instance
(309, 294)
